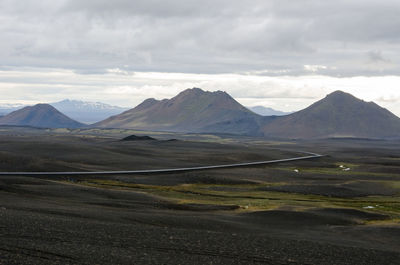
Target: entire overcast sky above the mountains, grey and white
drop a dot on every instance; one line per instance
(283, 54)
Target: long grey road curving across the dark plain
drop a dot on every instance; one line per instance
(168, 170)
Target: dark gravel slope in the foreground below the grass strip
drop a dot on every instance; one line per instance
(45, 222)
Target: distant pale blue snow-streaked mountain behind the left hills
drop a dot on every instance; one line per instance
(87, 112)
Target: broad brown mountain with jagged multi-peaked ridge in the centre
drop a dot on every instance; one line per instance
(192, 110)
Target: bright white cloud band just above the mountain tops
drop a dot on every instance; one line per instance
(286, 93)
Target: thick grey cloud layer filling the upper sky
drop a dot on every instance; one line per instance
(219, 36)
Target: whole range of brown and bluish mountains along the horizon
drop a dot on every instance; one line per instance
(339, 114)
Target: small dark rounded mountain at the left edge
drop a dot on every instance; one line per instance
(40, 115)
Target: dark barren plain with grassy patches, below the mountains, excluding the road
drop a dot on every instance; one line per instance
(321, 214)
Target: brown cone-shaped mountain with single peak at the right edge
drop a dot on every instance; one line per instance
(339, 114)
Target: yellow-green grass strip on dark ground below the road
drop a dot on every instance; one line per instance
(250, 198)
